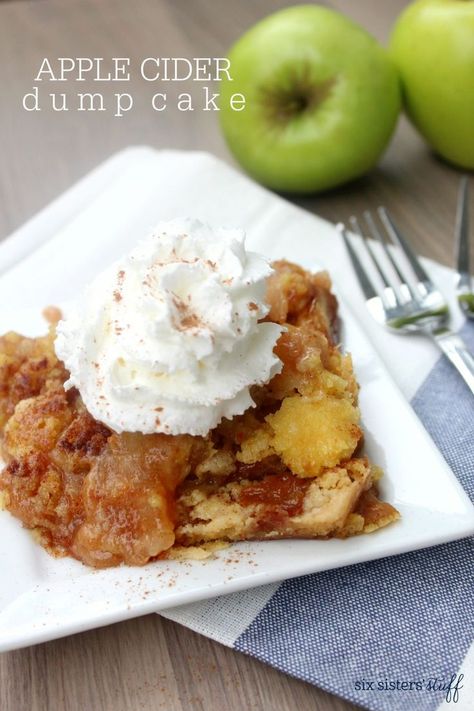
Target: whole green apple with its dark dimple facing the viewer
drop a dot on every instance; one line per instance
(321, 100)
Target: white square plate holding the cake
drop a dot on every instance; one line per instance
(42, 598)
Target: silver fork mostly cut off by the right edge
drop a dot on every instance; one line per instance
(464, 286)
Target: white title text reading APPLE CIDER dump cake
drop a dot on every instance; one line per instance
(118, 70)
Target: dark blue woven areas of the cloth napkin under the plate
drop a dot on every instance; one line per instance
(403, 619)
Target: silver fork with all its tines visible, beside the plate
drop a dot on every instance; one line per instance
(407, 301)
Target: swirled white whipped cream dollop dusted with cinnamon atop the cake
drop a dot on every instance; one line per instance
(168, 338)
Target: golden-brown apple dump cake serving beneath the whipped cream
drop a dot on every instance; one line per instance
(288, 466)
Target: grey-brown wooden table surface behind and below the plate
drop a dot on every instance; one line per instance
(151, 663)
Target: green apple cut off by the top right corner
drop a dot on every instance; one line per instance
(433, 47)
